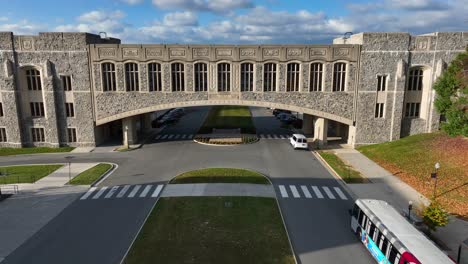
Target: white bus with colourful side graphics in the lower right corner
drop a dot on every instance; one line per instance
(390, 238)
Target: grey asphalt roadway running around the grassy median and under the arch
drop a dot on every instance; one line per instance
(98, 231)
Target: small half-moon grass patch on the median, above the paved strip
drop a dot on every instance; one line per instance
(221, 175)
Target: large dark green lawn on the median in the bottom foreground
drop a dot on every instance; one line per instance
(228, 230)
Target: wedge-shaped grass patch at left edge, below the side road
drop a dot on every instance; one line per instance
(26, 174)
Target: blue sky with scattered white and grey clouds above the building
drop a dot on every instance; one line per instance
(231, 21)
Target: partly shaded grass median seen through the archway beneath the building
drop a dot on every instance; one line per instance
(228, 117)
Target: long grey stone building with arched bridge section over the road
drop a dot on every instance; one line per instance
(80, 89)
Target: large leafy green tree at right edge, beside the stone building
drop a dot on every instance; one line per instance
(452, 96)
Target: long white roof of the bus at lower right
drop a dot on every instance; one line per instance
(413, 240)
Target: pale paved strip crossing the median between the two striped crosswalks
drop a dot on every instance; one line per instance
(219, 189)
